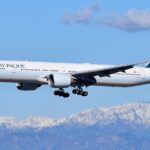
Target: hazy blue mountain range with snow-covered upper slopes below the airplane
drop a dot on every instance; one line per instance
(125, 127)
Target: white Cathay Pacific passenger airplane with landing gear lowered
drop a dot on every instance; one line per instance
(31, 75)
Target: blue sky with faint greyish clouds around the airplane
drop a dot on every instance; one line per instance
(99, 31)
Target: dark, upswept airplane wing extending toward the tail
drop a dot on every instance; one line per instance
(104, 71)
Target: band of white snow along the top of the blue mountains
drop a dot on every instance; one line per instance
(138, 113)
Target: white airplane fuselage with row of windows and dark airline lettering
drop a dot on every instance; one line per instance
(34, 72)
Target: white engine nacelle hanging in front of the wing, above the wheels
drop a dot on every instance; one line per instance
(60, 80)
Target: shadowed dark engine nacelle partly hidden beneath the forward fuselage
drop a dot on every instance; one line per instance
(27, 86)
